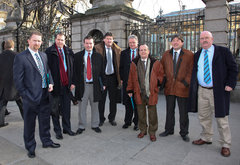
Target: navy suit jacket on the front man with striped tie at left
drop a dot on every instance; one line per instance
(27, 77)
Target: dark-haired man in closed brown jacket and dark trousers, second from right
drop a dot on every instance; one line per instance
(177, 65)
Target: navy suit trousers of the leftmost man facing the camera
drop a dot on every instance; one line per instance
(42, 111)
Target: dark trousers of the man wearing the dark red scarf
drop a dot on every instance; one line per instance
(61, 105)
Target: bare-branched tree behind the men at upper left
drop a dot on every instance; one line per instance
(47, 16)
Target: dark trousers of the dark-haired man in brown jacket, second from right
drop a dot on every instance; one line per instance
(170, 115)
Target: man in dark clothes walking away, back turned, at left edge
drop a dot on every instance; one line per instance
(8, 91)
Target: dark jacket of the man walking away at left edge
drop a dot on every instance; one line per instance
(7, 88)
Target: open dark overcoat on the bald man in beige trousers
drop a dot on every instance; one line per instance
(224, 73)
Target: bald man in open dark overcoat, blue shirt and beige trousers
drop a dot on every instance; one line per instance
(214, 75)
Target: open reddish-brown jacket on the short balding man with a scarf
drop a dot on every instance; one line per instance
(156, 77)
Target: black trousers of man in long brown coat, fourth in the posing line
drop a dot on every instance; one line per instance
(111, 88)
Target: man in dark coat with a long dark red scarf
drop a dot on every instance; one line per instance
(60, 61)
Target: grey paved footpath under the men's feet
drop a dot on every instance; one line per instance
(117, 146)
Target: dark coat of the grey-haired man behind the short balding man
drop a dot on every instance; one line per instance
(125, 62)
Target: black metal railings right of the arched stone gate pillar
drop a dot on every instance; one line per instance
(188, 23)
